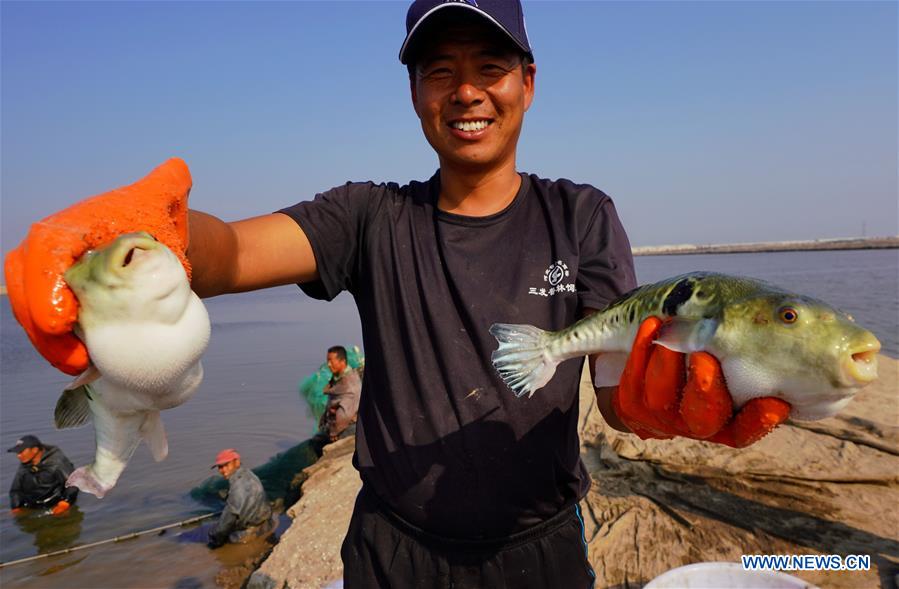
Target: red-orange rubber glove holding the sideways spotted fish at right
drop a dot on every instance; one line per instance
(657, 398)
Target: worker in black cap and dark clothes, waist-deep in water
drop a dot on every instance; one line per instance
(40, 481)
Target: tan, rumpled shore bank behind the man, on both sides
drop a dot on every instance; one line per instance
(827, 487)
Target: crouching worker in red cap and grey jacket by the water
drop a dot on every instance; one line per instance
(247, 513)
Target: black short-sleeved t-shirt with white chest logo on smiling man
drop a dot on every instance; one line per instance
(440, 438)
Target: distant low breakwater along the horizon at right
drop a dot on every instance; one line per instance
(849, 243)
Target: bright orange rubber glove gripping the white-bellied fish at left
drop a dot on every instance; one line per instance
(40, 298)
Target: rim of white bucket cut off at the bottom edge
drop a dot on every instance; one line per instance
(724, 575)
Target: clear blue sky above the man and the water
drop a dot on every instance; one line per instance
(707, 122)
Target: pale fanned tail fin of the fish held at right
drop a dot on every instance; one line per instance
(522, 358)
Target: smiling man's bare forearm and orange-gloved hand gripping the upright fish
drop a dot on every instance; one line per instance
(225, 257)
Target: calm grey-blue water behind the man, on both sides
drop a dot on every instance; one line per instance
(262, 345)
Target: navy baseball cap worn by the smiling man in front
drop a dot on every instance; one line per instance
(506, 15)
